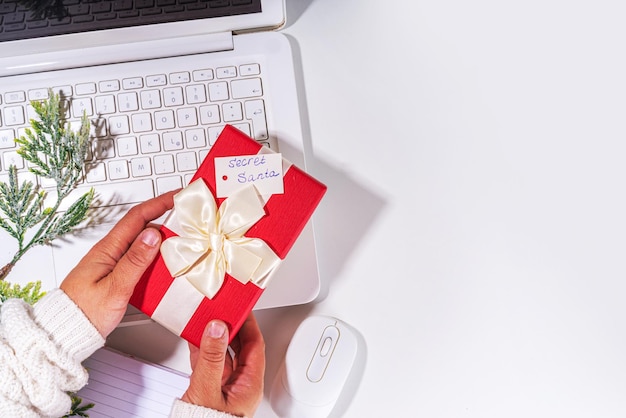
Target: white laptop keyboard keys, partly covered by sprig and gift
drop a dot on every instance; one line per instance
(149, 131)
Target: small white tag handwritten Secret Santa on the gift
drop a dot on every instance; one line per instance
(265, 171)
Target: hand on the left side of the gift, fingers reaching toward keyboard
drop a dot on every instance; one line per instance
(103, 281)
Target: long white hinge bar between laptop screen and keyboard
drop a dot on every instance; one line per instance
(109, 54)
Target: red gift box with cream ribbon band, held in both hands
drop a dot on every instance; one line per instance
(179, 306)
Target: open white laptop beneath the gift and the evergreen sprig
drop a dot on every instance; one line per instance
(159, 79)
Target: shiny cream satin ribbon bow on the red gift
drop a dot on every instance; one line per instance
(211, 241)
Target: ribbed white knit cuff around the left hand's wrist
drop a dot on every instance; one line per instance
(67, 325)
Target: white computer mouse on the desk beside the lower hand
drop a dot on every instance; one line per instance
(315, 369)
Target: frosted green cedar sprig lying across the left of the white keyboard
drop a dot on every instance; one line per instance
(52, 151)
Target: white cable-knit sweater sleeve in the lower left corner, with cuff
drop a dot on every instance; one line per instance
(41, 351)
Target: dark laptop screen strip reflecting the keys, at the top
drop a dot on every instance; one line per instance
(28, 19)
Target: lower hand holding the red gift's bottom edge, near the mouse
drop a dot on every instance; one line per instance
(224, 383)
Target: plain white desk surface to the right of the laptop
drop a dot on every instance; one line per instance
(474, 229)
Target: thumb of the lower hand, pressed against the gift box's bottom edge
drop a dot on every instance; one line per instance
(205, 386)
